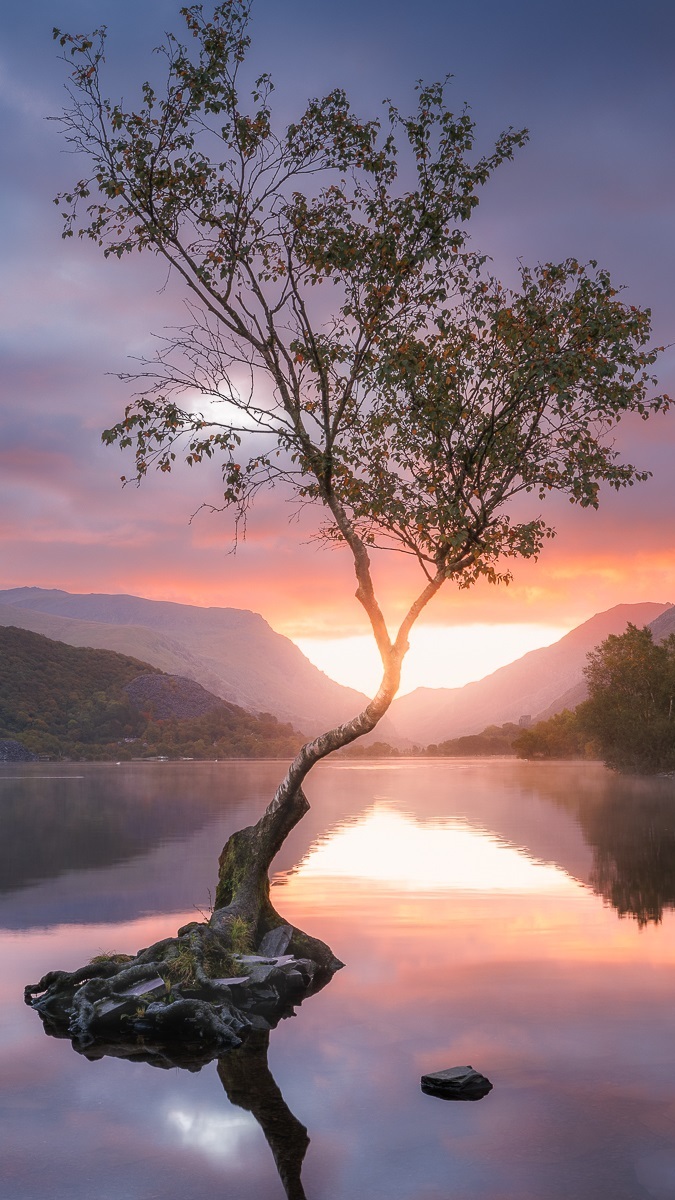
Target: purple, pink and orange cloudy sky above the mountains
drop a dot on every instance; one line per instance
(594, 85)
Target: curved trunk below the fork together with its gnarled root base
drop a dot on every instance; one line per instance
(192, 971)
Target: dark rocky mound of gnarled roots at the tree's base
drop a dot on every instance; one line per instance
(186, 999)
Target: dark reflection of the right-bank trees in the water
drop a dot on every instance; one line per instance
(630, 826)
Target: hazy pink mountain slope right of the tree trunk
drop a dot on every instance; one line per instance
(534, 685)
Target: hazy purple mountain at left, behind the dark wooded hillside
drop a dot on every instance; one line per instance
(231, 652)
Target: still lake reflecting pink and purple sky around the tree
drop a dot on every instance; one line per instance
(513, 916)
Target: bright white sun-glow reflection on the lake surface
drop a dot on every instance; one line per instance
(392, 848)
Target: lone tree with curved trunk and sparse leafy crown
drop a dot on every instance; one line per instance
(348, 343)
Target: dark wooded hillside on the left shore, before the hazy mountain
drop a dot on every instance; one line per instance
(63, 701)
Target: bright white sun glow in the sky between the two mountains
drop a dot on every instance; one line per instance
(440, 656)
